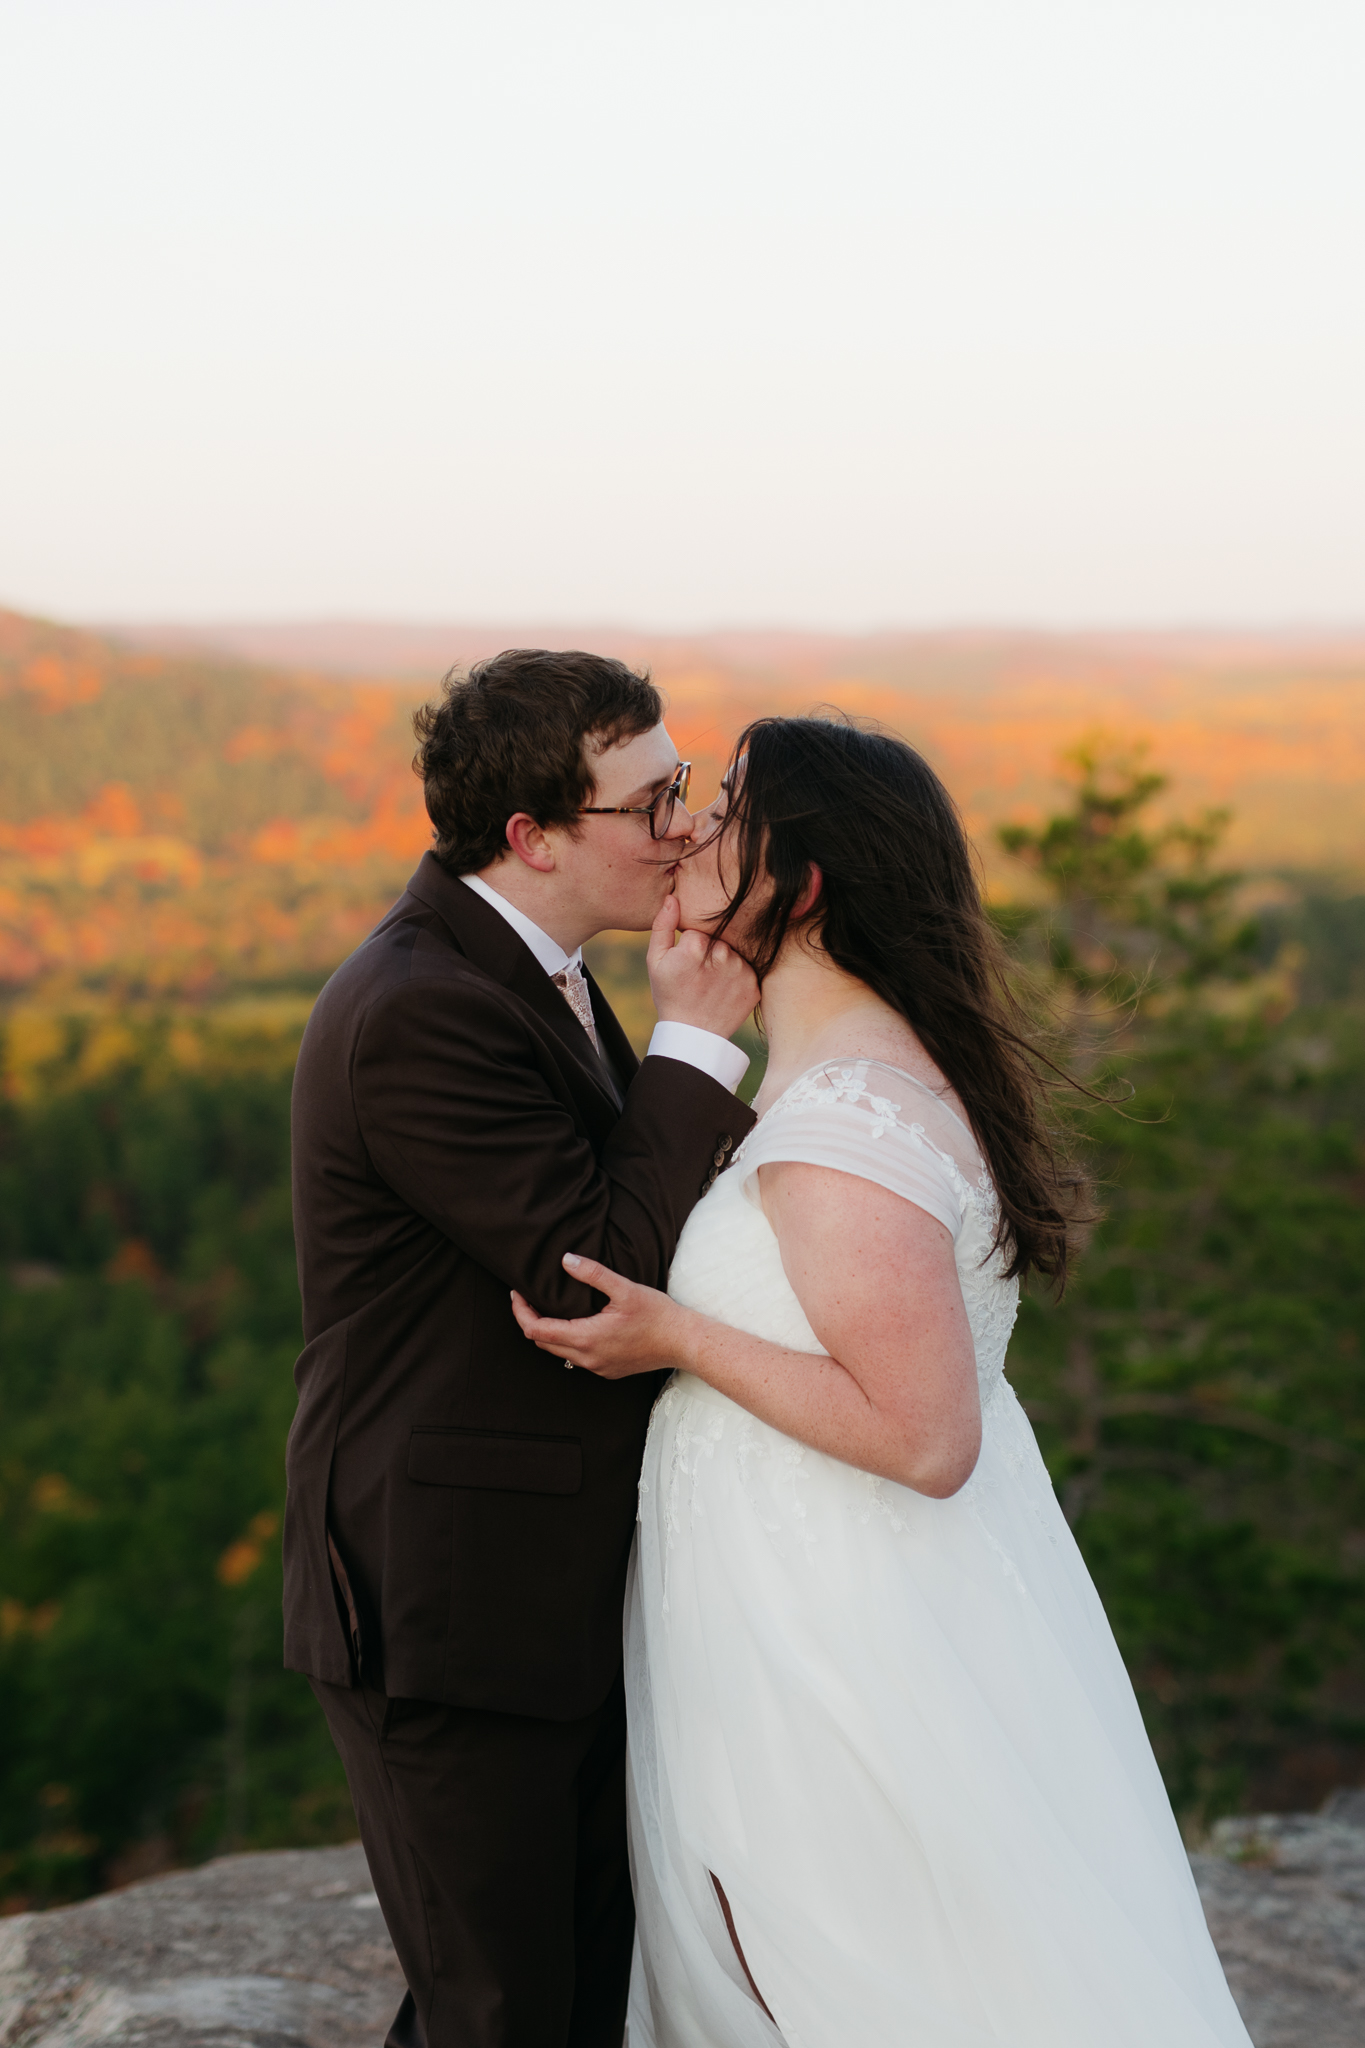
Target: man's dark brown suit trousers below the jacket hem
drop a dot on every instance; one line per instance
(498, 1850)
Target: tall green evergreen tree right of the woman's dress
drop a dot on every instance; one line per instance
(1200, 1394)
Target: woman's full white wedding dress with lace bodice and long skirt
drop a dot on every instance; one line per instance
(897, 1730)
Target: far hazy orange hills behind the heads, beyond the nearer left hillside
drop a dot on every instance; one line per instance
(1268, 724)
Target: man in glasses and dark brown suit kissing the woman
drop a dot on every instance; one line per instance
(461, 1506)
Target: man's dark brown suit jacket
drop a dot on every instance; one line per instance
(453, 1138)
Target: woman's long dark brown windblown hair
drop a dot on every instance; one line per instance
(901, 912)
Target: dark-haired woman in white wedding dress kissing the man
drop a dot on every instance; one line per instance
(889, 1783)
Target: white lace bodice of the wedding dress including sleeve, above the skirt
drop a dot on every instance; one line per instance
(883, 1125)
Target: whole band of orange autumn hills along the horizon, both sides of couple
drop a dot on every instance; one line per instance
(185, 810)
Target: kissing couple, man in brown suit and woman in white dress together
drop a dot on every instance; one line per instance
(586, 1338)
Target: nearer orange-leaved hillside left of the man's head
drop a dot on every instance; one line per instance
(191, 822)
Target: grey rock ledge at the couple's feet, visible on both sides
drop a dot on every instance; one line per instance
(290, 1951)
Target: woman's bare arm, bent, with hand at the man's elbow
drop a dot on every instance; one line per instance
(877, 1281)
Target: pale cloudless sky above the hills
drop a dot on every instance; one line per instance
(685, 314)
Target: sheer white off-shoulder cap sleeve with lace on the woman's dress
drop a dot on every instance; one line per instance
(879, 1123)
